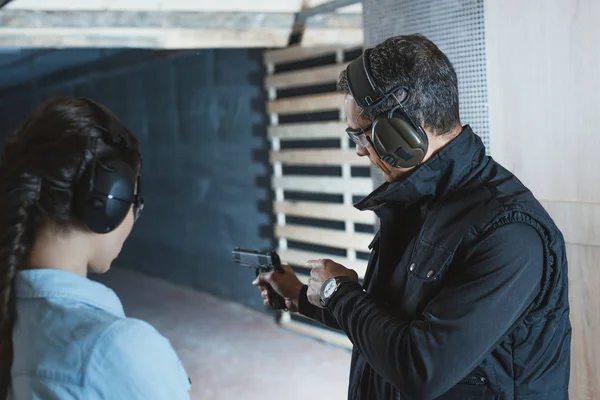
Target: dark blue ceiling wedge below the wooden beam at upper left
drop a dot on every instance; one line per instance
(18, 66)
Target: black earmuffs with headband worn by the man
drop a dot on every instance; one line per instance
(396, 138)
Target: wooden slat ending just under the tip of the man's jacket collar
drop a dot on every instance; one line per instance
(328, 211)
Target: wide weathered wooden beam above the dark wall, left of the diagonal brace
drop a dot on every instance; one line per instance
(131, 29)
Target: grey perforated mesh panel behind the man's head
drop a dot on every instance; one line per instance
(457, 28)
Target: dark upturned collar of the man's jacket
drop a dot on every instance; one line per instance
(441, 174)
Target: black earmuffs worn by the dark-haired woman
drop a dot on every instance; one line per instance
(107, 187)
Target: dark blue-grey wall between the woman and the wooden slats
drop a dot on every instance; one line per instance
(200, 119)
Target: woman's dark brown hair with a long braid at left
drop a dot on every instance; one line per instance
(39, 171)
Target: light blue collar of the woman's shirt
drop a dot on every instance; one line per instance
(59, 284)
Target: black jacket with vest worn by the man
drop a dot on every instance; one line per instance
(465, 295)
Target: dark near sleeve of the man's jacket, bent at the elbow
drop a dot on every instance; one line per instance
(482, 297)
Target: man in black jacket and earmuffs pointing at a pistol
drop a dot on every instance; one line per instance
(465, 295)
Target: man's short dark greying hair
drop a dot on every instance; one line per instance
(417, 63)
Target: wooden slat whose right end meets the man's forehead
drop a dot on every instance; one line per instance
(305, 104)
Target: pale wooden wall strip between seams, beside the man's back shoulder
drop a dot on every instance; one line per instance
(579, 222)
